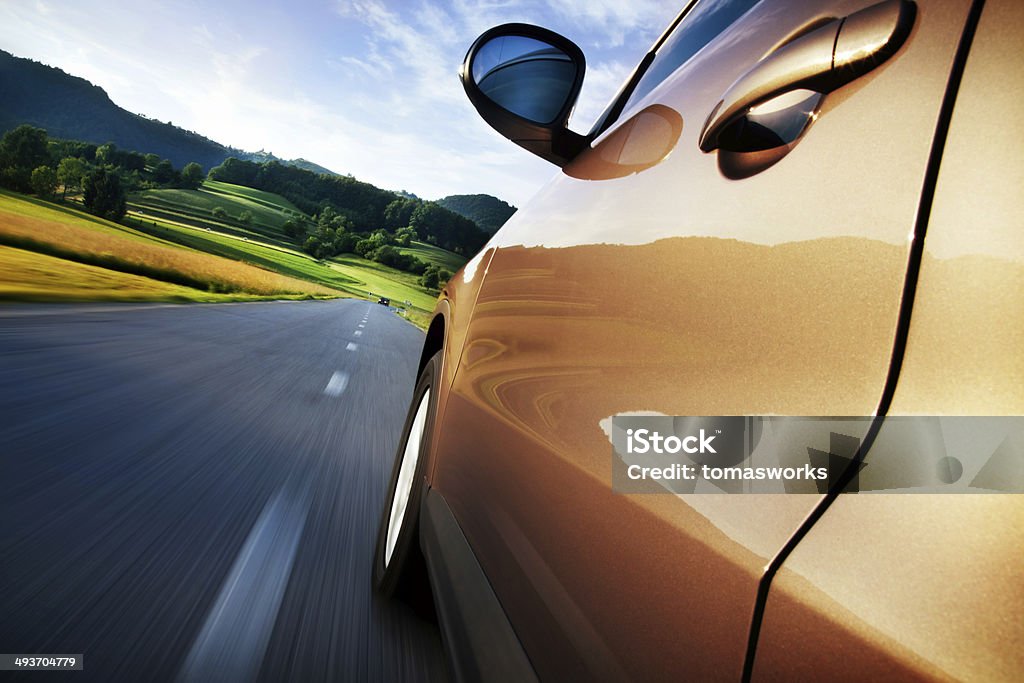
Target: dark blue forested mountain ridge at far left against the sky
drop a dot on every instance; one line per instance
(71, 108)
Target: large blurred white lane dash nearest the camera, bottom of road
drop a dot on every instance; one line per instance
(234, 639)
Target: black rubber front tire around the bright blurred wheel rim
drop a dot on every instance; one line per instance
(405, 575)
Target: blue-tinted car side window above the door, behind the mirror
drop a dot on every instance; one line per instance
(702, 24)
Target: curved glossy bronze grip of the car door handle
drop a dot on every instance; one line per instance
(827, 59)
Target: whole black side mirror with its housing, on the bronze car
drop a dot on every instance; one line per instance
(525, 81)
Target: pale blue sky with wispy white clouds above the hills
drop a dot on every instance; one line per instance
(364, 88)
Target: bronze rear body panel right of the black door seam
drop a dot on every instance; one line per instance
(931, 585)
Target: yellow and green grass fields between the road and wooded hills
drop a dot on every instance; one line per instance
(172, 239)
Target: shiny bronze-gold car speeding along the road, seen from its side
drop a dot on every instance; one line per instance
(790, 209)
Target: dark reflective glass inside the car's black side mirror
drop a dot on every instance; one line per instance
(528, 77)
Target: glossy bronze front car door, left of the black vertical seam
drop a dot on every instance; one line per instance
(654, 278)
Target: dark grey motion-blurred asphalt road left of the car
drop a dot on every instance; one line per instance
(192, 493)
